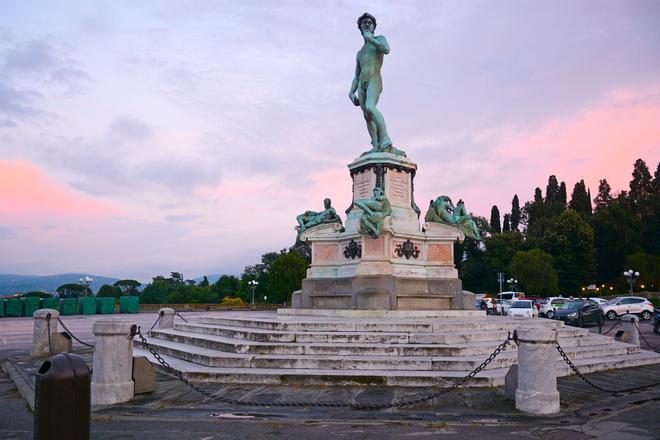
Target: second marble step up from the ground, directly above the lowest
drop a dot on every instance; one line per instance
(215, 358)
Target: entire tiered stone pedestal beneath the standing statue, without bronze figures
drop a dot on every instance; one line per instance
(407, 268)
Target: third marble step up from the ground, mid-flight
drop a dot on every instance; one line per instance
(233, 345)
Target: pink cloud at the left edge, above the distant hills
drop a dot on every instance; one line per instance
(26, 190)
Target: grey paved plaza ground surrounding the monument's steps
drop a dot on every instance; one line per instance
(174, 411)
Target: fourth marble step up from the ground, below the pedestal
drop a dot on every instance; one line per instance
(261, 335)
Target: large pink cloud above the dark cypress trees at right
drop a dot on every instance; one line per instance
(600, 142)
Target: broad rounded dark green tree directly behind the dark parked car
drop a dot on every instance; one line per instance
(570, 241)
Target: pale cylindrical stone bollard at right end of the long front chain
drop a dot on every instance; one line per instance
(537, 370)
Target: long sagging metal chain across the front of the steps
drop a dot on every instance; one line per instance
(363, 406)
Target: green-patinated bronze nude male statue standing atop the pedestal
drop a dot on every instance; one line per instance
(368, 83)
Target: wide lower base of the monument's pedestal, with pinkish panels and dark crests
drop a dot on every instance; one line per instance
(393, 272)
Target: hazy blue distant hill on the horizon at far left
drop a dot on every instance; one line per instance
(11, 284)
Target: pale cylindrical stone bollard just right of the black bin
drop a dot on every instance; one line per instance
(112, 371)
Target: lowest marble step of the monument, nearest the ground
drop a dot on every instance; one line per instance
(279, 376)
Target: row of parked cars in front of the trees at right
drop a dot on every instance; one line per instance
(573, 311)
